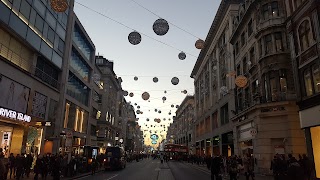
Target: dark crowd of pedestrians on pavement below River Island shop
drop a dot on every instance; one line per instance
(22, 165)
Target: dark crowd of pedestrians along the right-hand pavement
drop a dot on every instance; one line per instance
(283, 168)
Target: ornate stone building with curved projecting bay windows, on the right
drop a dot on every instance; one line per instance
(266, 120)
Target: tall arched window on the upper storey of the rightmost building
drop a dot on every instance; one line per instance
(305, 35)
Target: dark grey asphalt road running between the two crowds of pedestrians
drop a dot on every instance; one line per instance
(149, 169)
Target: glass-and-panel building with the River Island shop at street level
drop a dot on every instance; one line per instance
(33, 41)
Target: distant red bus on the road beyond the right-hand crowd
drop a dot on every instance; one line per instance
(176, 151)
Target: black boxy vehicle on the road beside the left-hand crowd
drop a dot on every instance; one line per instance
(115, 158)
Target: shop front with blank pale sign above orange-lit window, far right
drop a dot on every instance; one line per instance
(310, 122)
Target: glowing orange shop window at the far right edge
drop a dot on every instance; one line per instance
(315, 136)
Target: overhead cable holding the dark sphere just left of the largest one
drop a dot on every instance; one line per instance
(132, 28)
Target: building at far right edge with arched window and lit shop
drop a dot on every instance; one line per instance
(304, 38)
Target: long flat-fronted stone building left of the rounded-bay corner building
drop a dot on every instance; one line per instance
(213, 76)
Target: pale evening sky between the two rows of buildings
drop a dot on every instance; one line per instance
(155, 56)
